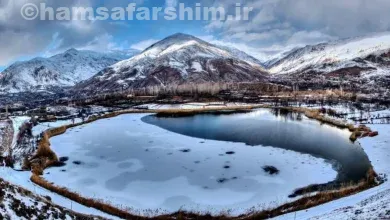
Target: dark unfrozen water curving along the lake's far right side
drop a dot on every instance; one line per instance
(291, 131)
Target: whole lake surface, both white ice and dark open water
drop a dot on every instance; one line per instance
(204, 162)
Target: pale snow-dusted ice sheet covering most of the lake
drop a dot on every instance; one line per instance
(133, 164)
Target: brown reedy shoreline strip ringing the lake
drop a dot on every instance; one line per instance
(47, 158)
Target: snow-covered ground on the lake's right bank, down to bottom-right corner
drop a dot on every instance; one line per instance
(370, 204)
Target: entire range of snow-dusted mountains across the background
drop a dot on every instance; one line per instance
(182, 58)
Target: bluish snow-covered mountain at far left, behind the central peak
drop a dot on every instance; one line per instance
(62, 70)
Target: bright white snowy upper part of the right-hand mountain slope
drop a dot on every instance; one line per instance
(328, 57)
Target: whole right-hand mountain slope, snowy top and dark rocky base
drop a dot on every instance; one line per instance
(361, 63)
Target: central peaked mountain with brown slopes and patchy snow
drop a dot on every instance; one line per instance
(178, 59)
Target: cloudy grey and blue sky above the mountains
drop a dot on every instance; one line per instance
(274, 26)
